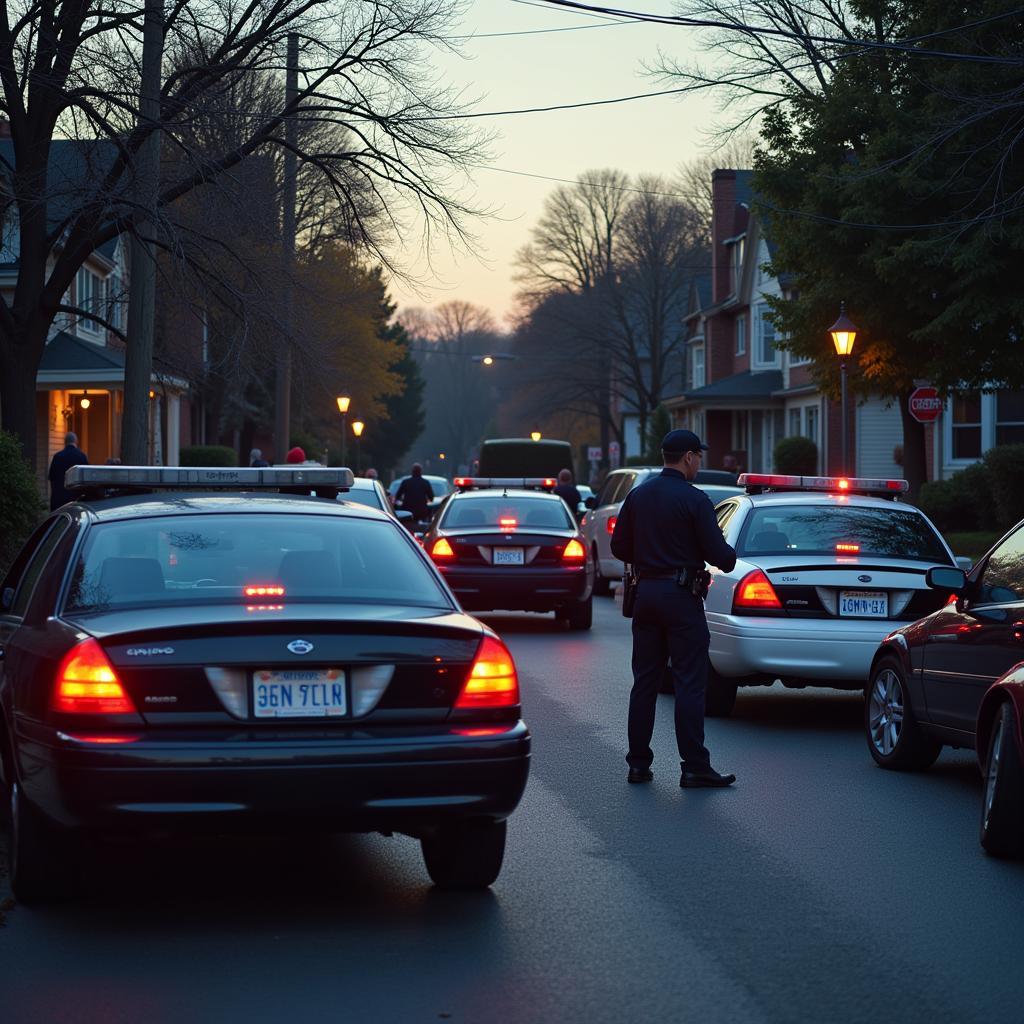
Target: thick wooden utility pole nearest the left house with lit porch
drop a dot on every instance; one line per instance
(143, 284)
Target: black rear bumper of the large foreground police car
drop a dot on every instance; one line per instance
(405, 781)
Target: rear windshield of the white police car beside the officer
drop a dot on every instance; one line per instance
(830, 530)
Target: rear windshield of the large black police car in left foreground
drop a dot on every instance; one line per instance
(189, 560)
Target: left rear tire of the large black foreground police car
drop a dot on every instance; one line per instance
(39, 867)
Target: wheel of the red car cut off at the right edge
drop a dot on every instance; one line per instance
(1003, 801)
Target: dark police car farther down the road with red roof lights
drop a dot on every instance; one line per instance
(502, 545)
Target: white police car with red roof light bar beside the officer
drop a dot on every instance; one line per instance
(827, 568)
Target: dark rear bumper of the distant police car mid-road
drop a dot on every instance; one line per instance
(520, 589)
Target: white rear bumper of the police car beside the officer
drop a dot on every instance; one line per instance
(829, 652)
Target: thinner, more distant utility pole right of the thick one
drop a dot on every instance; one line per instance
(283, 383)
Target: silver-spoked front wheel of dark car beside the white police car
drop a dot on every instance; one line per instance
(894, 737)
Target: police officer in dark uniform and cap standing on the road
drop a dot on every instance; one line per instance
(667, 532)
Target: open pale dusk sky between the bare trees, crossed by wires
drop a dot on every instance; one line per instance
(602, 61)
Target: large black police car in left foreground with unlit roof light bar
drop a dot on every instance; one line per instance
(189, 659)
